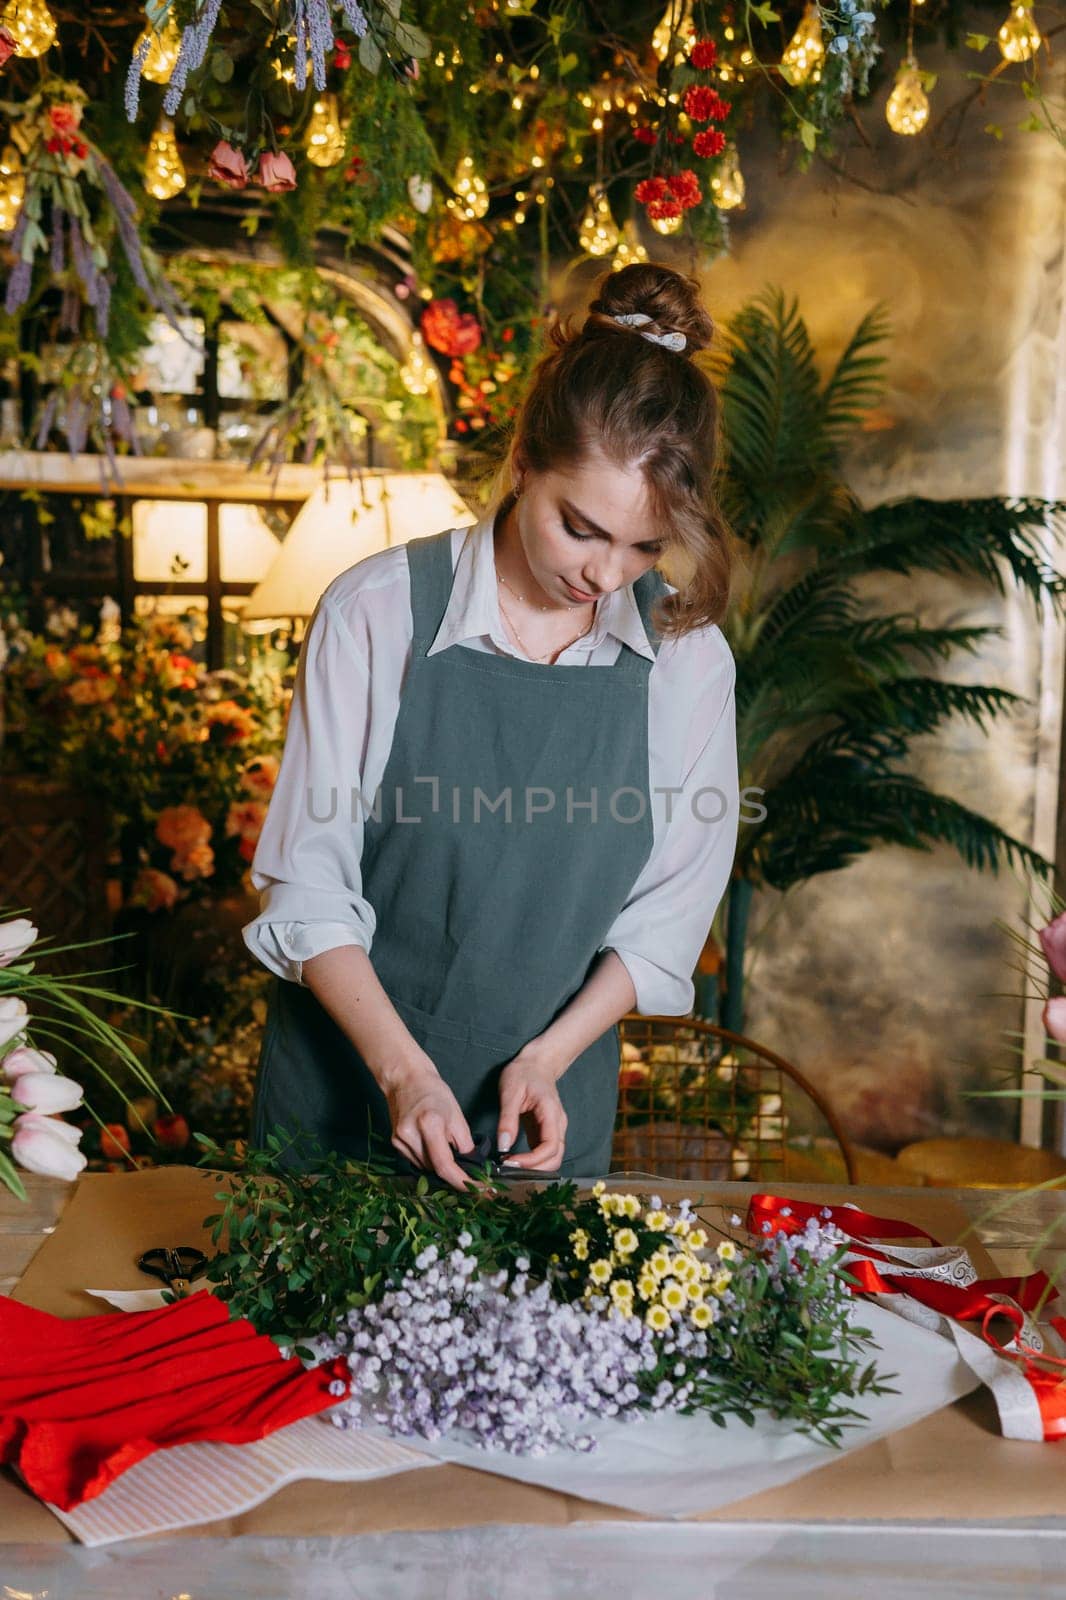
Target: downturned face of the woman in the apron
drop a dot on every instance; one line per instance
(588, 529)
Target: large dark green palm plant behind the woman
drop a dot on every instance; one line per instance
(832, 690)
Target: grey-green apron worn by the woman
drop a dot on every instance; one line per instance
(489, 919)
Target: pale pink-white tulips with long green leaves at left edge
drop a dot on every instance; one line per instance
(33, 1092)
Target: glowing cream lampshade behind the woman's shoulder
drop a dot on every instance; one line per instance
(342, 524)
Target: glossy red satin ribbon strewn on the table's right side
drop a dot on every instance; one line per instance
(769, 1215)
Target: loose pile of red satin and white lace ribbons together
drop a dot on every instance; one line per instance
(1022, 1361)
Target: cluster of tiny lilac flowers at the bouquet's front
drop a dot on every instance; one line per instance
(495, 1358)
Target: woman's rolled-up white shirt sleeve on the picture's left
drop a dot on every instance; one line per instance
(307, 866)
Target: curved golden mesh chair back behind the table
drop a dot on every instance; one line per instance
(697, 1102)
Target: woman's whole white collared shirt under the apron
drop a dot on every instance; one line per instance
(351, 676)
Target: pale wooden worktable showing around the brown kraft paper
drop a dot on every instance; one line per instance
(684, 1562)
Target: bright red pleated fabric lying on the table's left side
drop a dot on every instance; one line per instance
(81, 1401)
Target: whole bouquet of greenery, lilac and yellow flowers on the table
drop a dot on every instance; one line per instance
(521, 1319)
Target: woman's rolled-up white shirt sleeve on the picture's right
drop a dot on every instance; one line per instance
(663, 926)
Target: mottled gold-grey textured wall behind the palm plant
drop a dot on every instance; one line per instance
(884, 983)
